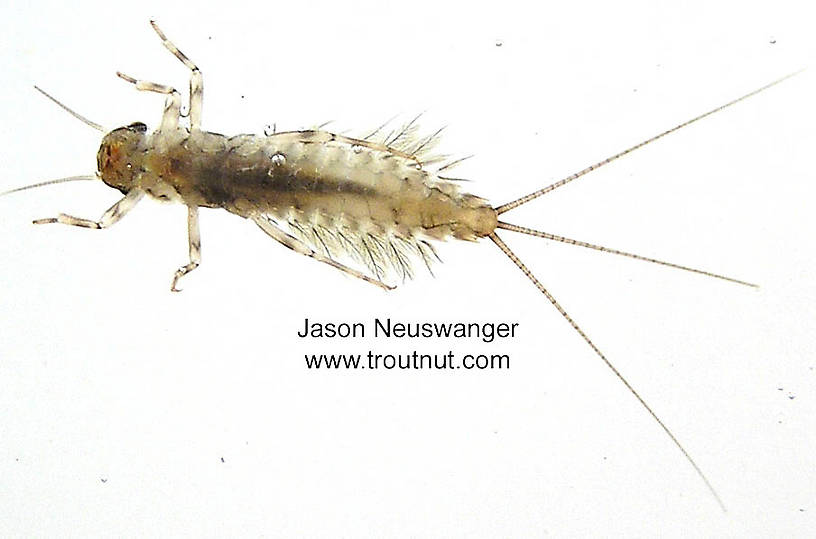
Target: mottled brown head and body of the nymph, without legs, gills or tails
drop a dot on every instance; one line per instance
(301, 176)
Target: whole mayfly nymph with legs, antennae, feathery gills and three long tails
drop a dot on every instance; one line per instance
(377, 201)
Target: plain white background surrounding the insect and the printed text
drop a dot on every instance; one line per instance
(119, 399)
